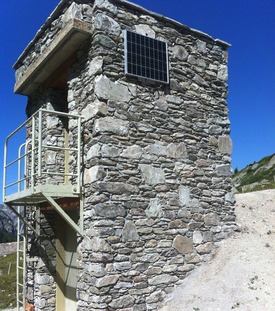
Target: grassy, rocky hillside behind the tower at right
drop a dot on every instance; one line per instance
(257, 176)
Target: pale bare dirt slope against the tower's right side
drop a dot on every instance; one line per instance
(241, 275)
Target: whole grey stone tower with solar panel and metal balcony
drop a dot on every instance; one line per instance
(154, 194)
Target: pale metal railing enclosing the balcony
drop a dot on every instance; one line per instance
(49, 152)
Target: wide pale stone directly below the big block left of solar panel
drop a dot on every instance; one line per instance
(112, 125)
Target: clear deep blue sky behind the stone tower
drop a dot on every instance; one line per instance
(249, 25)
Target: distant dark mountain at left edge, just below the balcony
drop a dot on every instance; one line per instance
(8, 223)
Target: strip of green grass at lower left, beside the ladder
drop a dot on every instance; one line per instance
(8, 281)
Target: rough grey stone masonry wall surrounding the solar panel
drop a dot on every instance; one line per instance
(157, 166)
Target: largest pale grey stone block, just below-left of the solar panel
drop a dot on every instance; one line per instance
(107, 89)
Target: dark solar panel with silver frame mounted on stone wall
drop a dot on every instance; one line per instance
(146, 57)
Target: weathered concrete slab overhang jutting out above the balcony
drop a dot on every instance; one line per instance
(65, 44)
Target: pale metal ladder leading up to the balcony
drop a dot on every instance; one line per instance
(21, 260)
